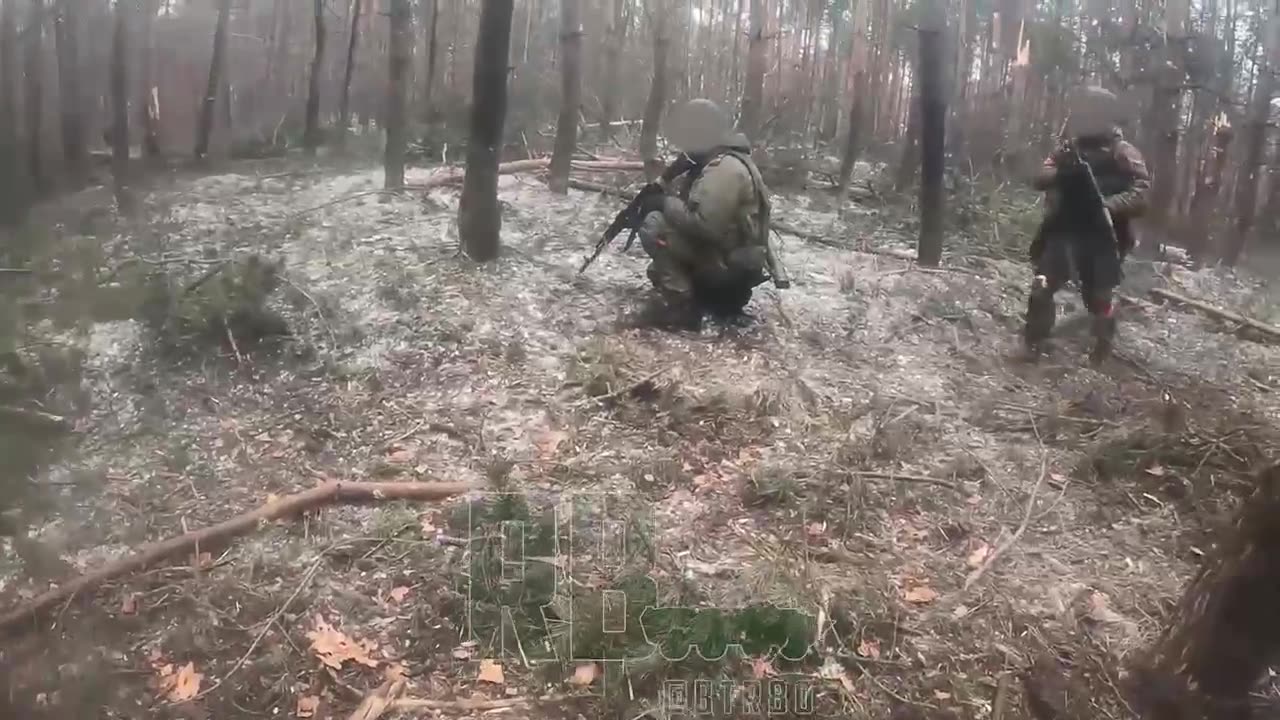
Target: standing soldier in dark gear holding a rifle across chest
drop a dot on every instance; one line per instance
(1094, 167)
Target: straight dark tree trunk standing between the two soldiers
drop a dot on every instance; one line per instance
(934, 133)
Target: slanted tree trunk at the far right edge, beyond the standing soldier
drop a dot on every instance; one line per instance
(1255, 143)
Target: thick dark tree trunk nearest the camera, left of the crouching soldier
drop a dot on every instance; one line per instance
(479, 215)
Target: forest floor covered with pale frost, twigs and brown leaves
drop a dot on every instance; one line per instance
(868, 470)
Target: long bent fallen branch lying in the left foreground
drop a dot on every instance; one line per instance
(328, 494)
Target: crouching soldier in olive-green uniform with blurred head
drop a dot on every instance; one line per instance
(707, 234)
